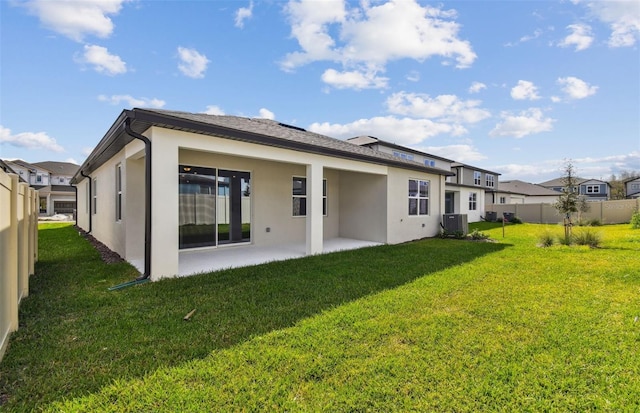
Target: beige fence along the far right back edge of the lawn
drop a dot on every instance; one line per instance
(606, 212)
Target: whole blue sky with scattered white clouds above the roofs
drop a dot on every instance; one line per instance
(516, 87)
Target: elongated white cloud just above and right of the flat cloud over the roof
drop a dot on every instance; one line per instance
(448, 108)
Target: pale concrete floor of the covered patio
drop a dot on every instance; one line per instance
(234, 256)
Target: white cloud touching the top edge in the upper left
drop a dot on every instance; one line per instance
(76, 19)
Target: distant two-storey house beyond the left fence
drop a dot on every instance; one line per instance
(52, 180)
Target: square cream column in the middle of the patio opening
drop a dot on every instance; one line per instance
(315, 174)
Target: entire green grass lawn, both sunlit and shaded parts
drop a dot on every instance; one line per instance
(432, 325)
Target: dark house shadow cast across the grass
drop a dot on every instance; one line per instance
(75, 336)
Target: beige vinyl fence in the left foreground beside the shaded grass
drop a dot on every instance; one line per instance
(18, 249)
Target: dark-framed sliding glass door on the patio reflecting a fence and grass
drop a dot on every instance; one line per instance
(214, 207)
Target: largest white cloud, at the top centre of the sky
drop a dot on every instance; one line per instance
(373, 34)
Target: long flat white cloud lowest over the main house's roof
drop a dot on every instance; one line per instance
(403, 131)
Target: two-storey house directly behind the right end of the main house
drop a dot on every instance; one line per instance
(466, 191)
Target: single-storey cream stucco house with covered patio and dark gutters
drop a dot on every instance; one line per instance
(176, 193)
